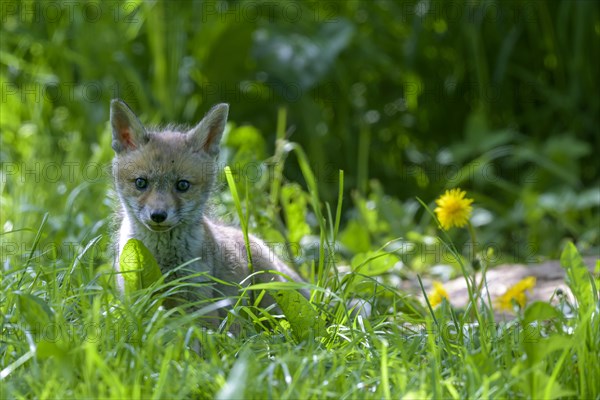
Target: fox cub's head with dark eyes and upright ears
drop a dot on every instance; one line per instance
(163, 178)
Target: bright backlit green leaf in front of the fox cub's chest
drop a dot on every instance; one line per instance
(138, 266)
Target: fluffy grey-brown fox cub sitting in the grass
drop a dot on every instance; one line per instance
(163, 179)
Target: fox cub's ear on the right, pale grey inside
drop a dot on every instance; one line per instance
(206, 136)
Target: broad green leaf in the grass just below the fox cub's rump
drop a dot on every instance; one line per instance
(302, 316)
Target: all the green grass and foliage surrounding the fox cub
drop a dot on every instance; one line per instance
(405, 98)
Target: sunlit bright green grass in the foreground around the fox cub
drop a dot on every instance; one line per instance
(67, 334)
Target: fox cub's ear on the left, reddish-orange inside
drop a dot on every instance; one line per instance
(128, 131)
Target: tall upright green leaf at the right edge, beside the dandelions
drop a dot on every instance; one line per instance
(578, 278)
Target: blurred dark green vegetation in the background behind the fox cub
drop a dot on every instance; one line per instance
(408, 98)
